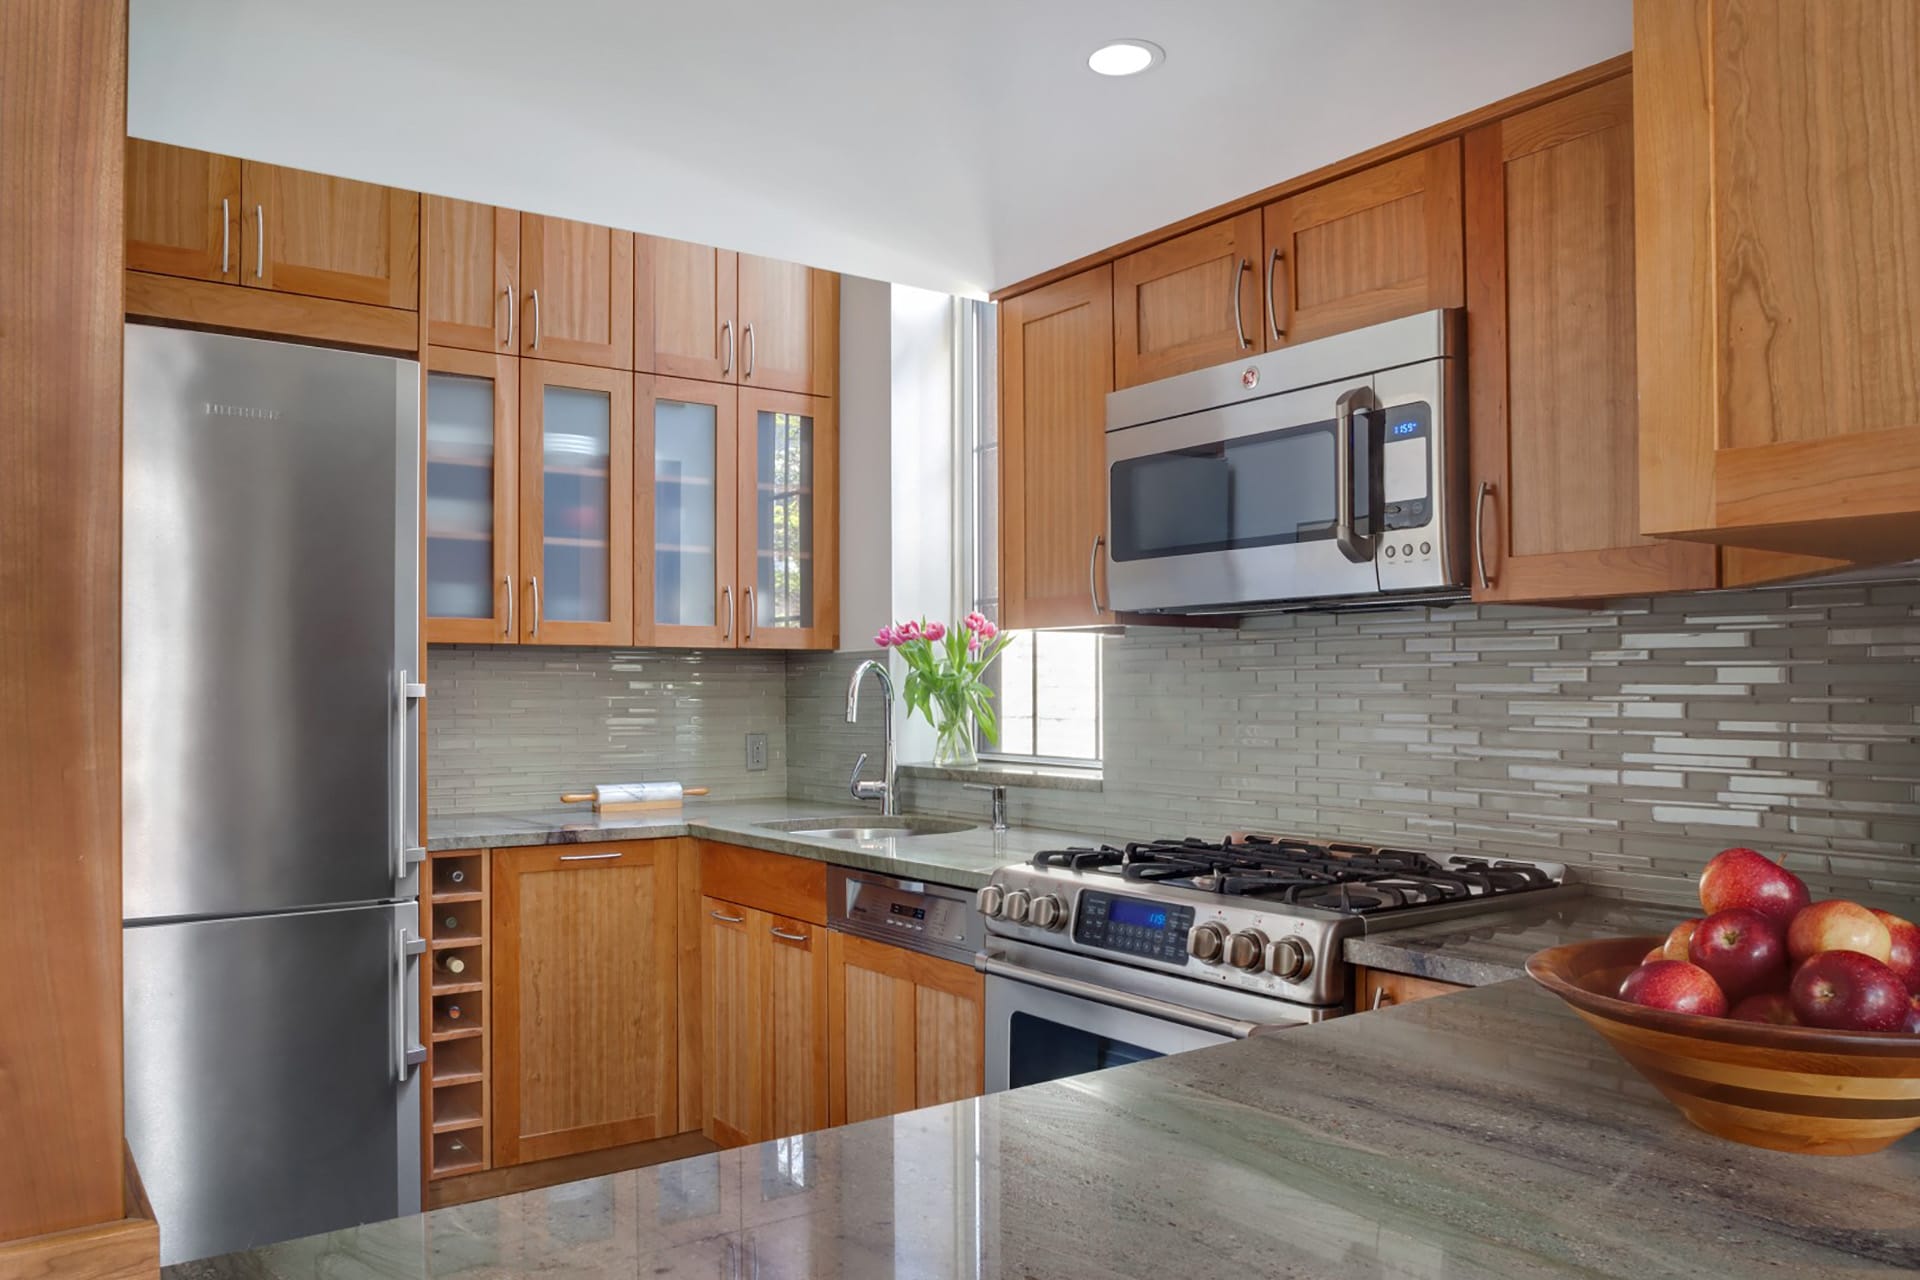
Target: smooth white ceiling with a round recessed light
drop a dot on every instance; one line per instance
(955, 145)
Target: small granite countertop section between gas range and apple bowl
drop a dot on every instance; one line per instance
(1493, 949)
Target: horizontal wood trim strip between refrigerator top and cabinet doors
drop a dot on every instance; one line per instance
(208, 304)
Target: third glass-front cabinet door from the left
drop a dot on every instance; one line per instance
(684, 510)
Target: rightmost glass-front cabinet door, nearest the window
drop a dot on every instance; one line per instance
(788, 521)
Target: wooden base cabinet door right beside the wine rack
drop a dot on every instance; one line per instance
(583, 997)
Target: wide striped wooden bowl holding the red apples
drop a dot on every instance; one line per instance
(1790, 1089)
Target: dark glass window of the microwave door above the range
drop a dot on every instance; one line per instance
(1257, 490)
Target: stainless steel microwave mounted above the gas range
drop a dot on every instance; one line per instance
(1326, 475)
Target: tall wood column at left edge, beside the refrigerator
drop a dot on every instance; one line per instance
(62, 156)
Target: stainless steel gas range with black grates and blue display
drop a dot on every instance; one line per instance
(1105, 957)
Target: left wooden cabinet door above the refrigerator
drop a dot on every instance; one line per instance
(183, 212)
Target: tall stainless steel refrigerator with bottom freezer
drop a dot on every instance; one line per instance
(270, 717)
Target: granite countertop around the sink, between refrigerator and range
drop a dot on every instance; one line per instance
(963, 861)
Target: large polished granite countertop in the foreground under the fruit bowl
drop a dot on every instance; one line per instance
(1479, 1135)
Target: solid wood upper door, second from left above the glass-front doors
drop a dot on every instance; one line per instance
(577, 296)
